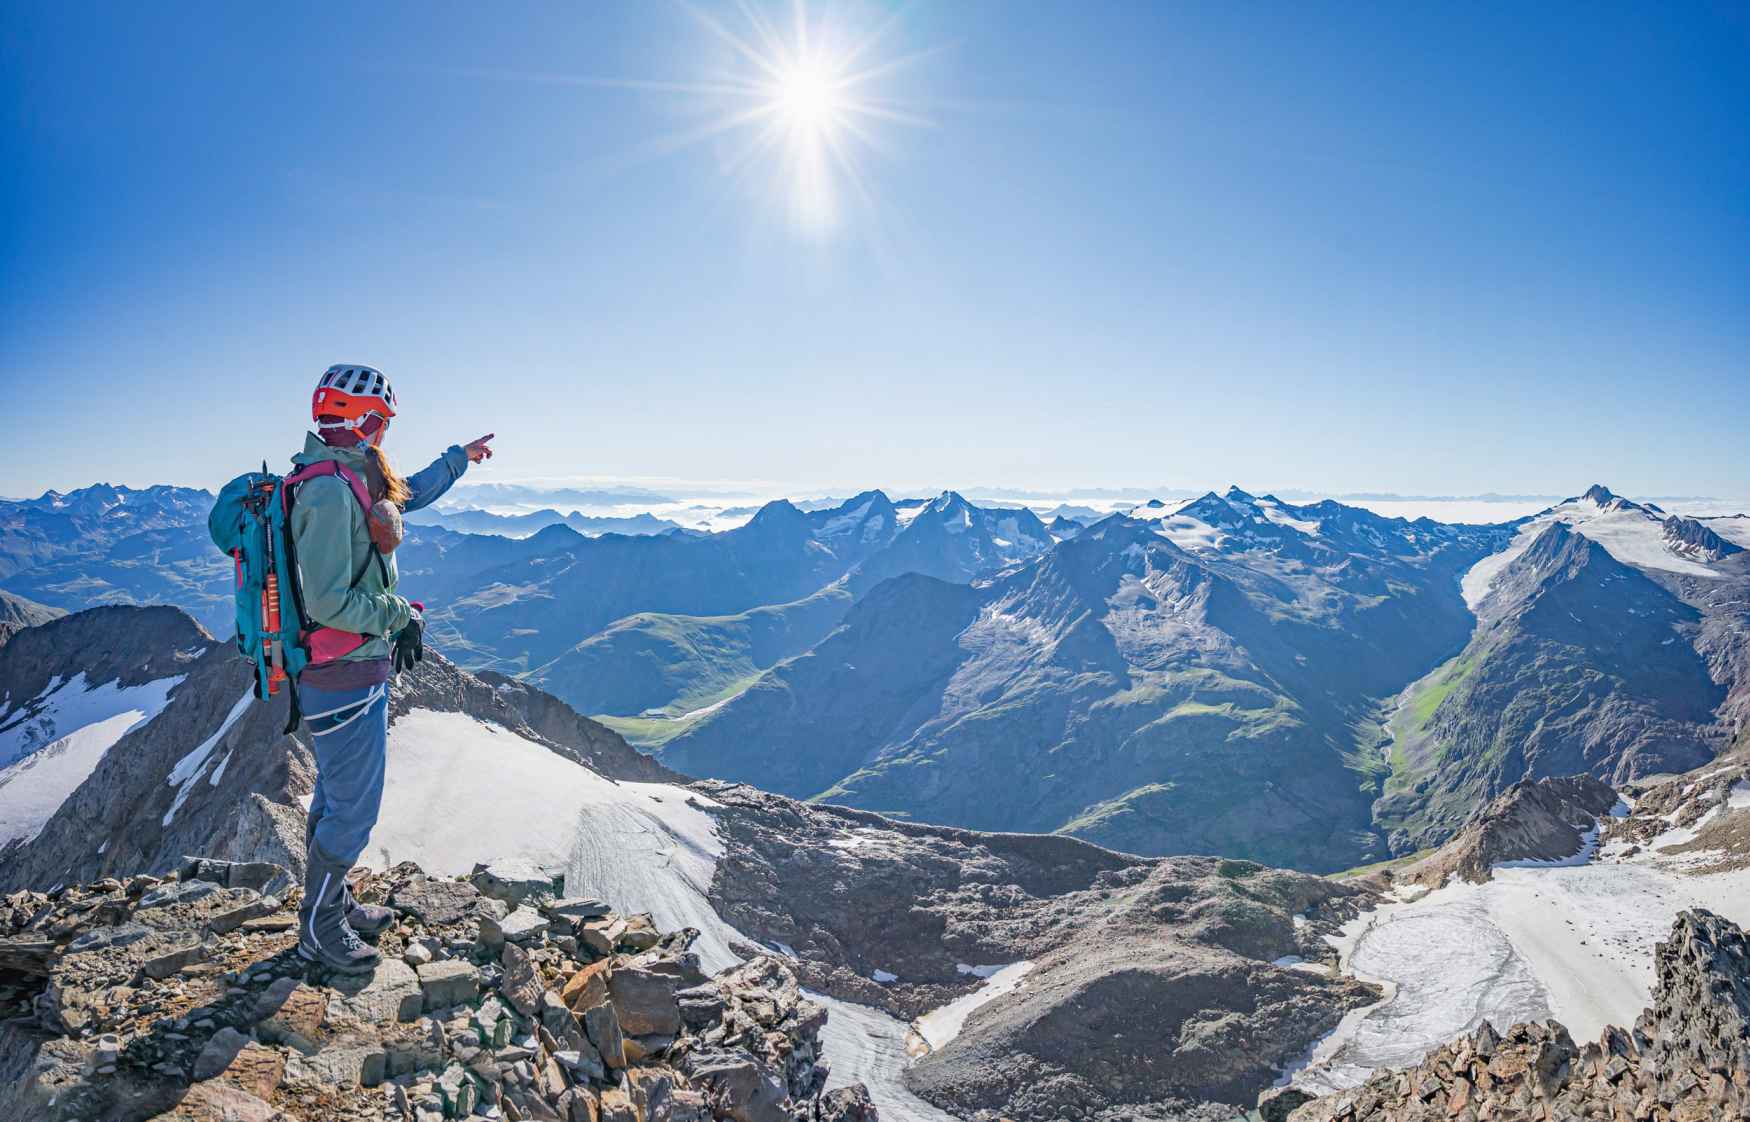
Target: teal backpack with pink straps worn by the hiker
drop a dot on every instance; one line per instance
(251, 522)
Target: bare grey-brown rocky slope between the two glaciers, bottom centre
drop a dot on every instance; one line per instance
(1158, 985)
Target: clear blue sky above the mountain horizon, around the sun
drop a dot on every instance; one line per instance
(1431, 249)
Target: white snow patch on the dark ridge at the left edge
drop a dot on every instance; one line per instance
(81, 726)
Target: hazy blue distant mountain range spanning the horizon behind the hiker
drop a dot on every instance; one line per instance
(1308, 685)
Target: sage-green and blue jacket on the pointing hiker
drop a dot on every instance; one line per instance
(340, 582)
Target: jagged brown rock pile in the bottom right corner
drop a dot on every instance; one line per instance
(1688, 1058)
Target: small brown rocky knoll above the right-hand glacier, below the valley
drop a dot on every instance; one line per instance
(1546, 820)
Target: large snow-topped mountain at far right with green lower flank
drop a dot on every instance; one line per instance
(1599, 649)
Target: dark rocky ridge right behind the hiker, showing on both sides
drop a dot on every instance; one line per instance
(214, 771)
